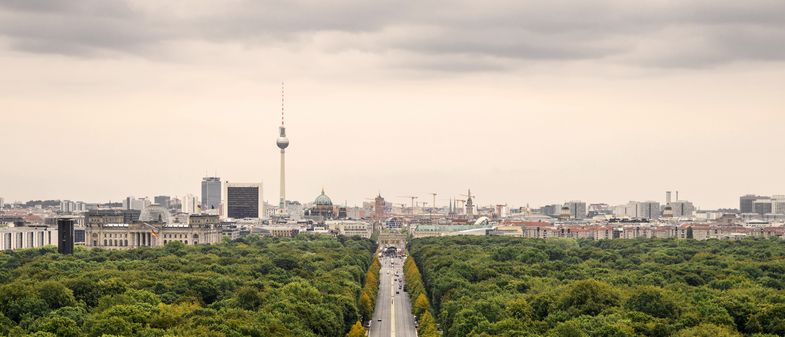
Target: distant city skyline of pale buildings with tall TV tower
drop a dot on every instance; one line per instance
(230, 210)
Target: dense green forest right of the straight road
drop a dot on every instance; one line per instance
(501, 286)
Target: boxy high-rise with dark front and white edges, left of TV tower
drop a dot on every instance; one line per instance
(244, 201)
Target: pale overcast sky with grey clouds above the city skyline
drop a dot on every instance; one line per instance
(524, 102)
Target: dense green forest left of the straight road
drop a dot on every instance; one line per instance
(306, 286)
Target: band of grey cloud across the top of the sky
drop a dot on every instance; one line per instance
(494, 32)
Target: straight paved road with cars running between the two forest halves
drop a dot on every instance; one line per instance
(394, 310)
